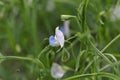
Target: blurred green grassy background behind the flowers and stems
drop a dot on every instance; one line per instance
(25, 24)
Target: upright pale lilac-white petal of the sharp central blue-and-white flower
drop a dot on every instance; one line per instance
(59, 37)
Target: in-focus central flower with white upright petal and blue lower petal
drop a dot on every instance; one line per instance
(58, 39)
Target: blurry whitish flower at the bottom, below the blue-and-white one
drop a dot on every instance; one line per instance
(57, 71)
